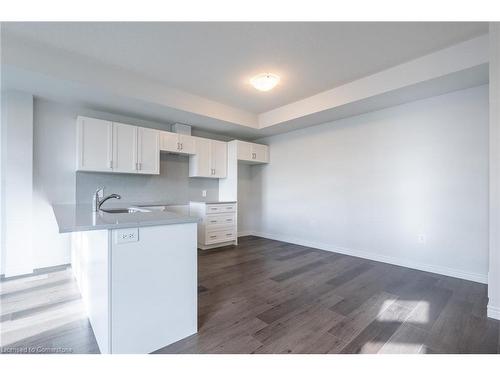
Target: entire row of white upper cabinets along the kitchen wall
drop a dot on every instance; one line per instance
(105, 146)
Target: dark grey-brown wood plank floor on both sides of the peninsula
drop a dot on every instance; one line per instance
(267, 296)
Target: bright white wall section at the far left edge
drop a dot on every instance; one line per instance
(17, 183)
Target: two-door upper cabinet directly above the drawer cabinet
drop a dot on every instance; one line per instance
(210, 159)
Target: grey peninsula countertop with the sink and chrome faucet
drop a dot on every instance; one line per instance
(78, 218)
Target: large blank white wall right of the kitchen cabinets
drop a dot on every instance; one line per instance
(370, 185)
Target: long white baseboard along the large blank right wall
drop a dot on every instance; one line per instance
(480, 278)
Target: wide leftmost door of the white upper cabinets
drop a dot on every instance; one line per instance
(94, 145)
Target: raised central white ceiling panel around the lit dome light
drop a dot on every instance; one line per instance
(215, 60)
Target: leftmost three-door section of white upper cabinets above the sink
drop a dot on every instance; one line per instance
(103, 146)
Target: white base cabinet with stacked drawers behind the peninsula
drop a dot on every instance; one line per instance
(218, 226)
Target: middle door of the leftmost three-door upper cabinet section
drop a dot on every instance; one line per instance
(124, 148)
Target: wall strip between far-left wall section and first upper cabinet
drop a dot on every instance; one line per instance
(54, 151)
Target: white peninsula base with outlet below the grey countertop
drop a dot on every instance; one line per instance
(139, 285)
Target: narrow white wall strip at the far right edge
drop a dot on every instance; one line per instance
(494, 265)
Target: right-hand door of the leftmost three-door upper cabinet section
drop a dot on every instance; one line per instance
(148, 151)
